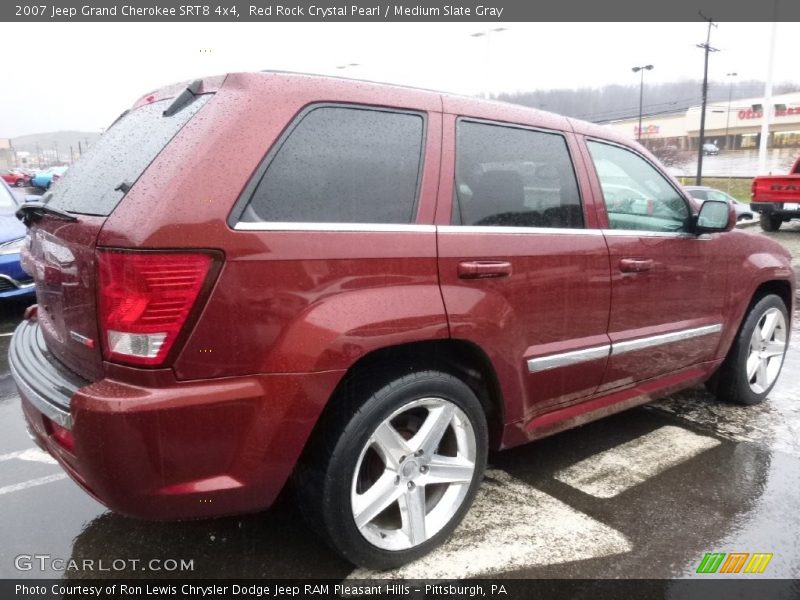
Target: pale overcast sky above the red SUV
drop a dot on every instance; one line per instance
(82, 75)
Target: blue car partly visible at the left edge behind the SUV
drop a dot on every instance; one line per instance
(14, 282)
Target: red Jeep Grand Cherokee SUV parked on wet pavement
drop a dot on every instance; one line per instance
(365, 288)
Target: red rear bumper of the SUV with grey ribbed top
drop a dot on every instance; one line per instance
(179, 450)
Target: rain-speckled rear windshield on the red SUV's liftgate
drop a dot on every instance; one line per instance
(121, 154)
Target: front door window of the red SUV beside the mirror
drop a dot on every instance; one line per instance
(636, 195)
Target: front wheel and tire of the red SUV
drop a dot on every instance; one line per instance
(756, 357)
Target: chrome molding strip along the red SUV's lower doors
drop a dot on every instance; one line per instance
(564, 359)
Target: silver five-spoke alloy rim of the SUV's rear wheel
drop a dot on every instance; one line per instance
(413, 474)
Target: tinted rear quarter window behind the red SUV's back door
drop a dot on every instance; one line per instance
(343, 165)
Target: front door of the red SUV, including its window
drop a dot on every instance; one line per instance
(667, 284)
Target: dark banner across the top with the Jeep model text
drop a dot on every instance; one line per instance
(381, 10)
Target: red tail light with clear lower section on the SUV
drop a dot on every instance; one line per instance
(144, 300)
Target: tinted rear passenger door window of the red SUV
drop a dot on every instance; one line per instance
(506, 176)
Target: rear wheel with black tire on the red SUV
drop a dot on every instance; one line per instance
(398, 477)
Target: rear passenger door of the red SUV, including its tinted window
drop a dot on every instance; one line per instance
(522, 276)
